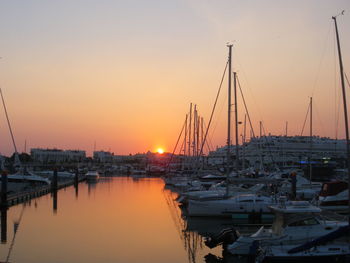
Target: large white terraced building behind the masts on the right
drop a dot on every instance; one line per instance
(283, 150)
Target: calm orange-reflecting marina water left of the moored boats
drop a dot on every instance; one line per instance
(116, 220)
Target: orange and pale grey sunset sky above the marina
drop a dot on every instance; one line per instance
(123, 73)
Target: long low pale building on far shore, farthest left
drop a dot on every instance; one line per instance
(57, 155)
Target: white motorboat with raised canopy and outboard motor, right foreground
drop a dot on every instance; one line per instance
(295, 223)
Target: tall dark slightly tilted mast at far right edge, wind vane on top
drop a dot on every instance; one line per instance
(345, 107)
